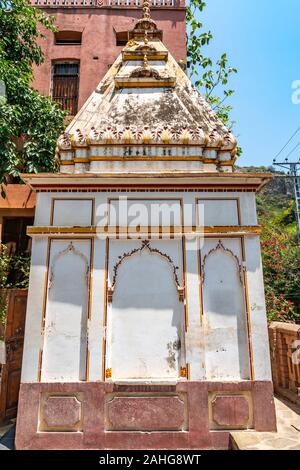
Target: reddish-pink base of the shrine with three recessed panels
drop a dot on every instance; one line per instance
(190, 415)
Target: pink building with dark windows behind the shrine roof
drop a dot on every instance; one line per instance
(89, 38)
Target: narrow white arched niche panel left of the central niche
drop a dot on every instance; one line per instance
(65, 335)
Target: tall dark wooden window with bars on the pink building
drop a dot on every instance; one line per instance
(65, 85)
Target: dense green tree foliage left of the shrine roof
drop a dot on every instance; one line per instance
(29, 123)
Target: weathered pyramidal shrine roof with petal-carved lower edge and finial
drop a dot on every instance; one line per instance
(146, 99)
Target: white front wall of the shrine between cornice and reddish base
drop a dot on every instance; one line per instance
(211, 325)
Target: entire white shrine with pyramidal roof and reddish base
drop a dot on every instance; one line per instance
(146, 321)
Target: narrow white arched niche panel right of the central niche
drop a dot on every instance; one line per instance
(226, 348)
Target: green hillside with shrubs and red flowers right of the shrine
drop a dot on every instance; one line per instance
(281, 253)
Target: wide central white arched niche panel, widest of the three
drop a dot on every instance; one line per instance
(145, 319)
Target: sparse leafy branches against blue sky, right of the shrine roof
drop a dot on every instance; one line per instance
(211, 78)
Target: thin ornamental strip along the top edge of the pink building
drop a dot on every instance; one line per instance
(107, 3)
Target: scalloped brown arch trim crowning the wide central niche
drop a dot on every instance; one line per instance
(145, 246)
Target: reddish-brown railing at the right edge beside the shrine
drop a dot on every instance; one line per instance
(285, 358)
